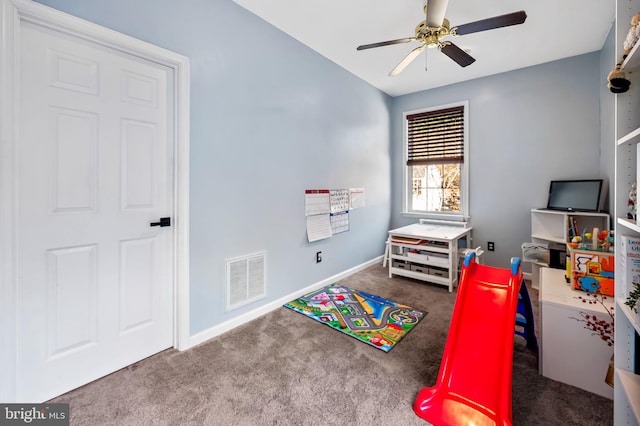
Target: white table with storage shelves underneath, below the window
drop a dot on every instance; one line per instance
(427, 252)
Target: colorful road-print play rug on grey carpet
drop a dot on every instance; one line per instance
(371, 319)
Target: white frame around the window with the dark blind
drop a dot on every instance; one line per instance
(407, 179)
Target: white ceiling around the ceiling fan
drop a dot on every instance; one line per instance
(554, 29)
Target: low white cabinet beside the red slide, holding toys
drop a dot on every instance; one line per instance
(569, 353)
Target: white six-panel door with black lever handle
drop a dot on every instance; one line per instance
(94, 279)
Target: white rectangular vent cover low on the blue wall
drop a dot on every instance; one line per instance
(245, 280)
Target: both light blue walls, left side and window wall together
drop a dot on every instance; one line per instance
(271, 118)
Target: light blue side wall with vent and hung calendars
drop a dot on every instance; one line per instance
(269, 119)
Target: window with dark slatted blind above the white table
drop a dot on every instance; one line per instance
(436, 173)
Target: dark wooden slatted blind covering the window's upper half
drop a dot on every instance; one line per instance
(436, 137)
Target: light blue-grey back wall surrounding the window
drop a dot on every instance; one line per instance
(526, 127)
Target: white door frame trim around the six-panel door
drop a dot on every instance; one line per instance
(12, 14)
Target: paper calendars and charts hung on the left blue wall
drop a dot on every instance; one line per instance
(327, 211)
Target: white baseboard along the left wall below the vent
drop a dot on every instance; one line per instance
(222, 328)
